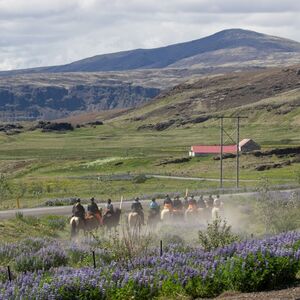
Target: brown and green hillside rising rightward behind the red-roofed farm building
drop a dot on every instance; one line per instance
(260, 94)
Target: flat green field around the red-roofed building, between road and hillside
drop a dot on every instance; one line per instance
(38, 166)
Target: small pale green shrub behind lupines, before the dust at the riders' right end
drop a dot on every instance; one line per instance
(217, 234)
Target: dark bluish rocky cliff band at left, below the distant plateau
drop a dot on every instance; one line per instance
(35, 99)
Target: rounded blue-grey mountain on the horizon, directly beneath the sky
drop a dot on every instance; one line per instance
(232, 43)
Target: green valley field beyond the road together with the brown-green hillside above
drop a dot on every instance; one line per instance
(90, 161)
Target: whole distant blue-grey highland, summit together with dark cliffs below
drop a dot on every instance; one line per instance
(131, 78)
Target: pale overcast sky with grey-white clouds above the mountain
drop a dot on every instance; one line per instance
(51, 32)
